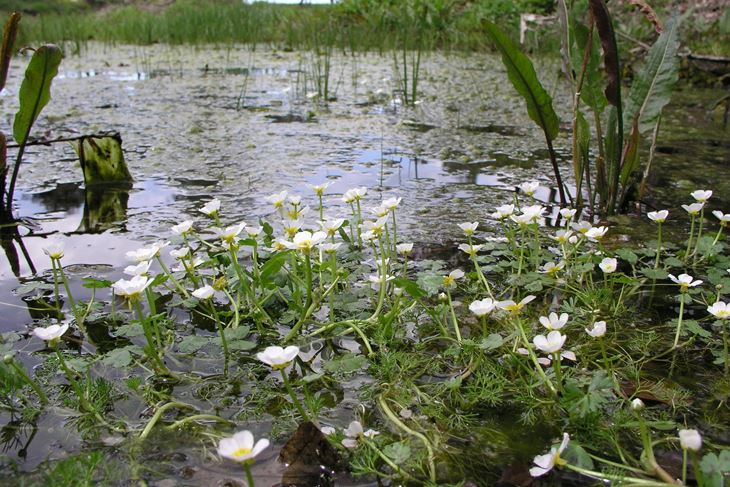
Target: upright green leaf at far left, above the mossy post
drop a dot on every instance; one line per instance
(35, 92)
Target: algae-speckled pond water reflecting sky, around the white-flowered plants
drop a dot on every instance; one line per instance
(237, 125)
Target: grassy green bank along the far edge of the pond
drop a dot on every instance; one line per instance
(350, 24)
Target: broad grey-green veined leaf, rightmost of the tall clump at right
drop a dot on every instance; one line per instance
(652, 88)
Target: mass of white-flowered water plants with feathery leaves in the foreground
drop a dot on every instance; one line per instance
(539, 326)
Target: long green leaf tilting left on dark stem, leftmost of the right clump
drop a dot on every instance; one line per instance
(522, 74)
